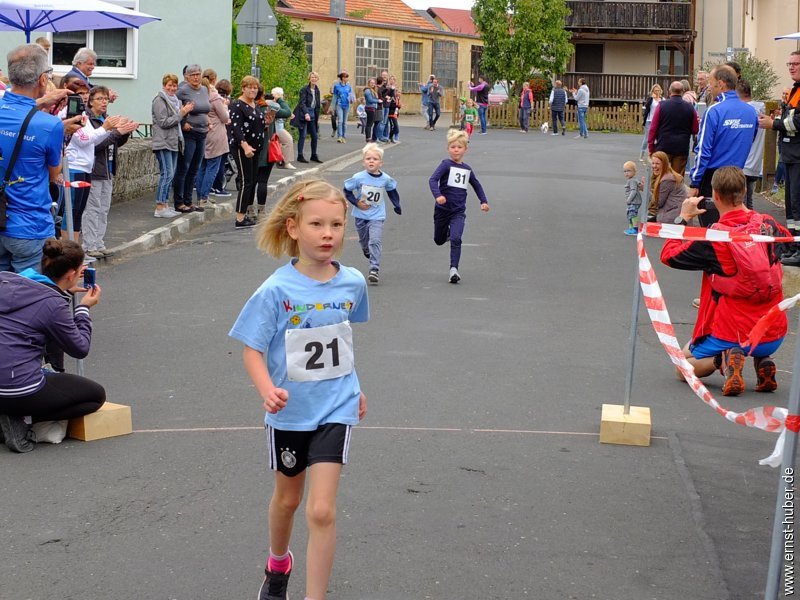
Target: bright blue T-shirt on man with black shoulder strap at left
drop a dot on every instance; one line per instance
(28, 193)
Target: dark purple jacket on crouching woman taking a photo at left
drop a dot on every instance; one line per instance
(34, 311)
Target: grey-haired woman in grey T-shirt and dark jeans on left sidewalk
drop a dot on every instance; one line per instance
(195, 129)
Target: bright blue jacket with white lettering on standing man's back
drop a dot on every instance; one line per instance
(726, 134)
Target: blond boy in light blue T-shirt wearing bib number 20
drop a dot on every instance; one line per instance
(367, 191)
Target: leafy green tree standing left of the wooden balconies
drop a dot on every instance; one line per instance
(522, 37)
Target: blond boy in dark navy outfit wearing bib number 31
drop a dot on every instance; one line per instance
(448, 185)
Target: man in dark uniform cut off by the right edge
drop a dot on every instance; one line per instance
(787, 127)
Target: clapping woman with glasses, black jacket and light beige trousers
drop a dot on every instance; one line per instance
(95, 218)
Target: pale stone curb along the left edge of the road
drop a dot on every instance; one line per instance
(180, 226)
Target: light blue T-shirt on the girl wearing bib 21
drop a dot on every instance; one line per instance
(288, 300)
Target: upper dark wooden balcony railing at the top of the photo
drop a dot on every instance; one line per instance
(638, 17)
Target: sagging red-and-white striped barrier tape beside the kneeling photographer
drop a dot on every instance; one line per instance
(768, 418)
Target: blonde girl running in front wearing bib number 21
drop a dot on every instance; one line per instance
(299, 354)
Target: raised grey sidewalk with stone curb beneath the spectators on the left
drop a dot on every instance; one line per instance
(132, 229)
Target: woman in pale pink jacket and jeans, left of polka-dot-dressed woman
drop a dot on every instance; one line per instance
(216, 145)
